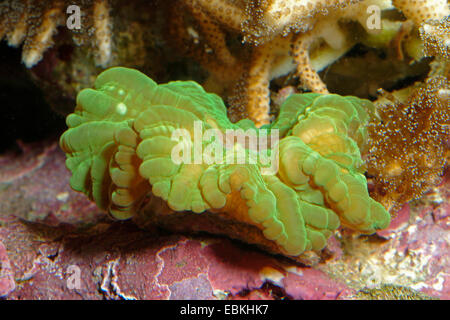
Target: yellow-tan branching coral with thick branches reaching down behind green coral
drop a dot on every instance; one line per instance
(268, 28)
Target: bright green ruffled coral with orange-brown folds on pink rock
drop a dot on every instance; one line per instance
(120, 148)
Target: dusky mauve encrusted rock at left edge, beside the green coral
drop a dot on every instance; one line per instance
(33, 187)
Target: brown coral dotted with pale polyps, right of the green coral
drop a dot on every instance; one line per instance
(407, 149)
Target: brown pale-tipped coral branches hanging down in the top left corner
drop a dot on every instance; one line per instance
(34, 23)
